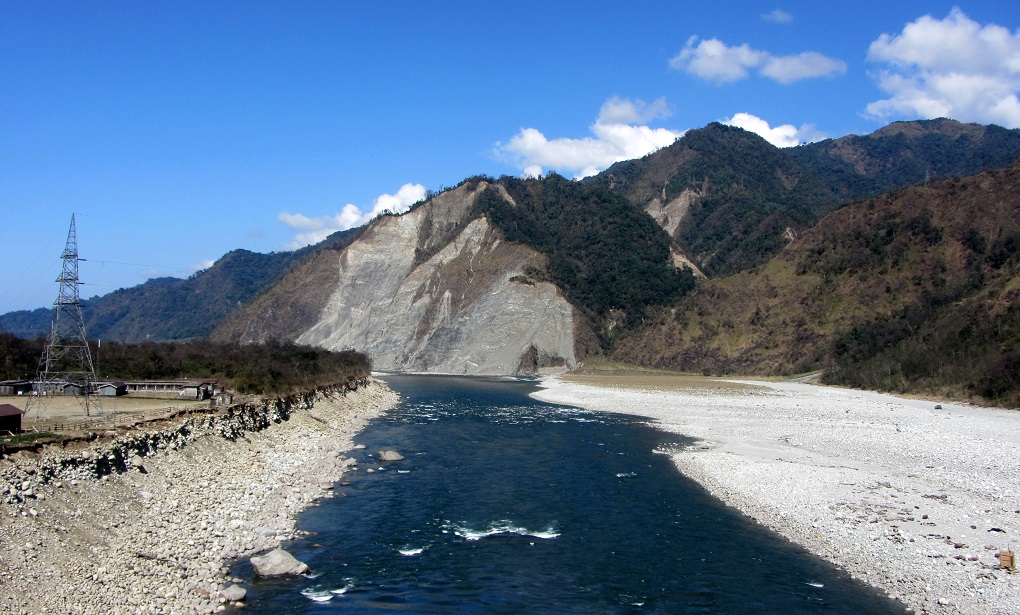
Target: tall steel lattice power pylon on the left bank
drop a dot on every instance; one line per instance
(67, 358)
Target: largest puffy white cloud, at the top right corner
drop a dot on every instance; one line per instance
(952, 68)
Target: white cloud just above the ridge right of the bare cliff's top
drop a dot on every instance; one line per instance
(616, 138)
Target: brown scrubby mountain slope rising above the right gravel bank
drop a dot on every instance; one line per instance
(915, 290)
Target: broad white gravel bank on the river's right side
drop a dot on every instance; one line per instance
(913, 499)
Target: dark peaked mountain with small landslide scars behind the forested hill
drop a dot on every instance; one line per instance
(726, 196)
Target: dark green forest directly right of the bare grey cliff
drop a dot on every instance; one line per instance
(603, 252)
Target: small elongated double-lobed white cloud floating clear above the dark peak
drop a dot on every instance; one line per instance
(713, 61)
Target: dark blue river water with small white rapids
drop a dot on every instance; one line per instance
(508, 505)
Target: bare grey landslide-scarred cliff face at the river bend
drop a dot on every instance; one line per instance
(434, 290)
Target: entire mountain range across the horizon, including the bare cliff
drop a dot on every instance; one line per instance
(887, 262)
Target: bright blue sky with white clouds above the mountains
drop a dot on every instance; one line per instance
(176, 132)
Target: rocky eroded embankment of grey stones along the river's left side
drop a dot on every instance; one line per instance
(147, 522)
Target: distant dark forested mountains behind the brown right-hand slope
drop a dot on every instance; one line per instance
(731, 200)
